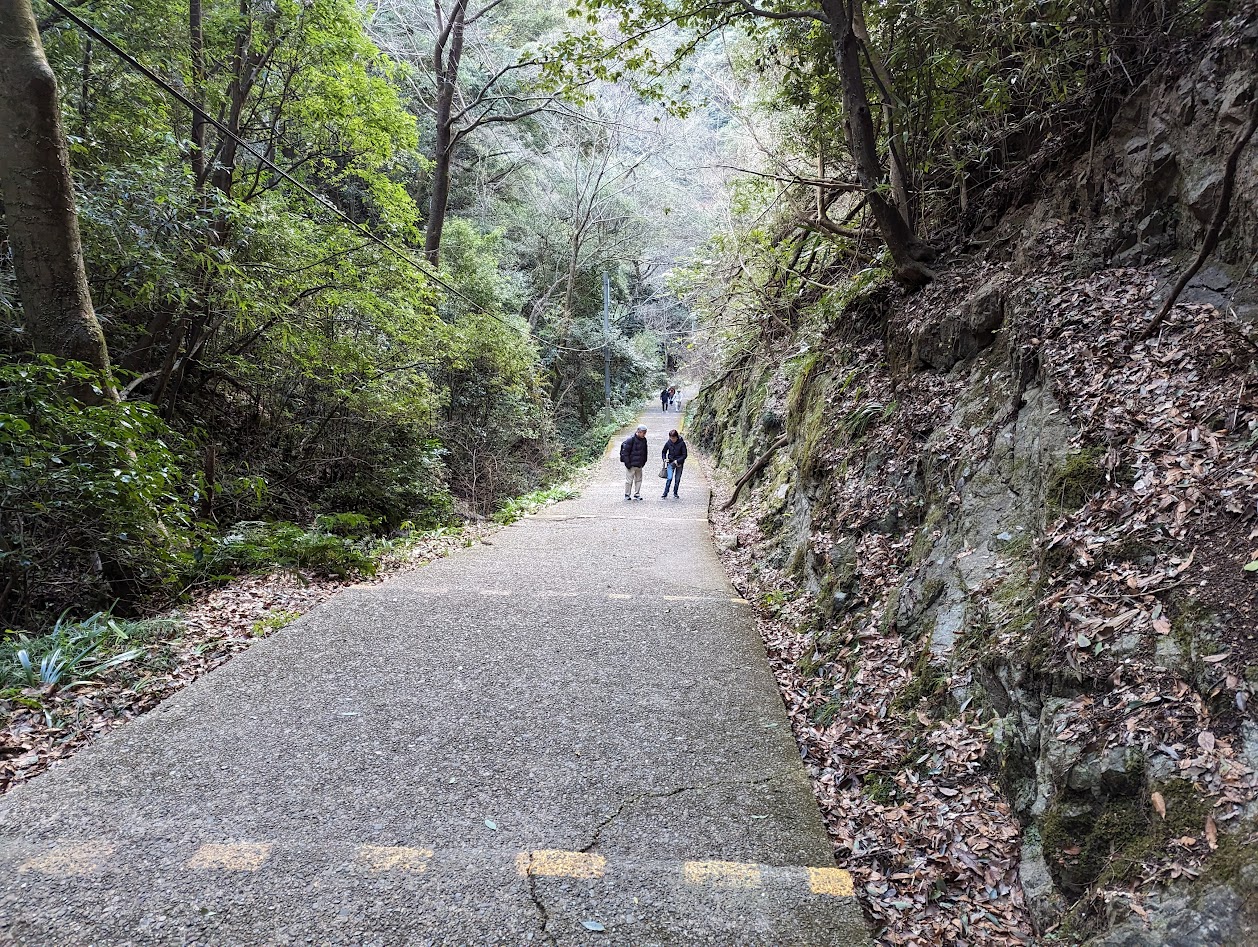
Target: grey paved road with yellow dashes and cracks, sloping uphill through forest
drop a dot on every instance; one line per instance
(568, 736)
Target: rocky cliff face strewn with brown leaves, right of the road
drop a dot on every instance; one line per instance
(1002, 516)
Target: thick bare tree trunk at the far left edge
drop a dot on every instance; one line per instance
(40, 199)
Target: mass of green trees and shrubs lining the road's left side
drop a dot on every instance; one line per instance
(294, 390)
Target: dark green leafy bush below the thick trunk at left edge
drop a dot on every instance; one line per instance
(96, 496)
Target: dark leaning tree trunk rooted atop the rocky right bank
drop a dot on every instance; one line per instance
(909, 253)
